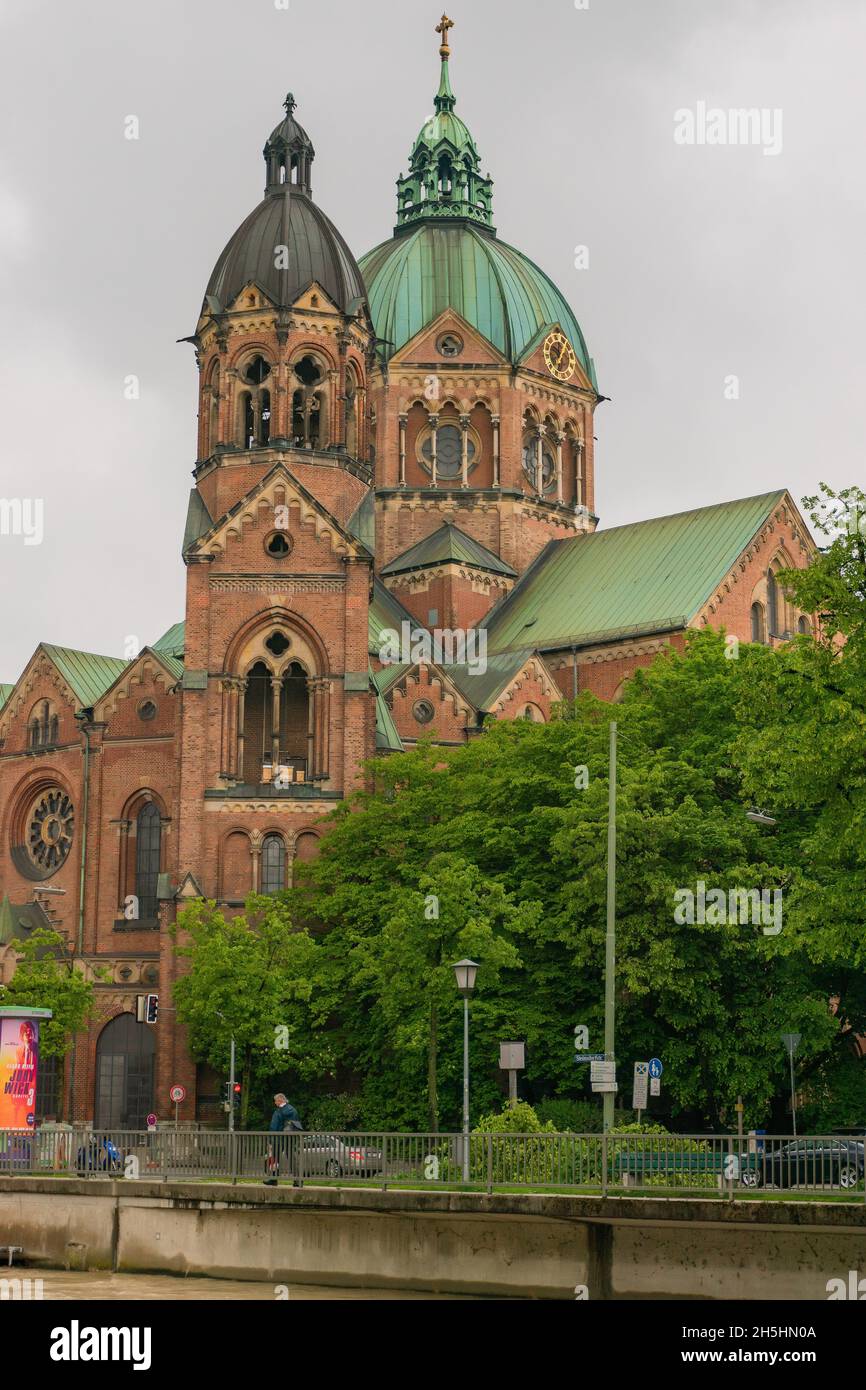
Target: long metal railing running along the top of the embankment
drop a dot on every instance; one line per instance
(608, 1164)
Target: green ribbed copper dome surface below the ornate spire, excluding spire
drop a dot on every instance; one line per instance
(418, 276)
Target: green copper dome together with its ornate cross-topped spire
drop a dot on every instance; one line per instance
(446, 252)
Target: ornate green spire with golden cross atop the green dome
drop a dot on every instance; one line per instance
(446, 179)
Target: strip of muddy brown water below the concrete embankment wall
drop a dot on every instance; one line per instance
(59, 1285)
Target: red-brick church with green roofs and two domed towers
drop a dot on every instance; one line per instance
(391, 534)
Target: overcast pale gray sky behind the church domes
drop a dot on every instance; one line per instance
(705, 262)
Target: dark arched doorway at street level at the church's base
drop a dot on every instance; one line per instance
(124, 1074)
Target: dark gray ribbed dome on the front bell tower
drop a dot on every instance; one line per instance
(318, 252)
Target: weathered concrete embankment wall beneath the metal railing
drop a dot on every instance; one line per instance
(519, 1245)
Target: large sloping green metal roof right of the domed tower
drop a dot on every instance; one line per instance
(653, 576)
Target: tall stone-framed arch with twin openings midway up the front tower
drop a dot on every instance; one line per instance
(276, 703)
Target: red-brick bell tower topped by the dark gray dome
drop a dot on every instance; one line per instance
(276, 692)
